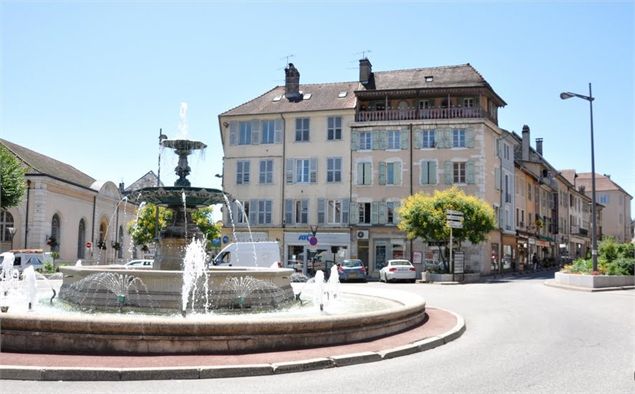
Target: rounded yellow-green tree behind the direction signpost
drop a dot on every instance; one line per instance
(424, 216)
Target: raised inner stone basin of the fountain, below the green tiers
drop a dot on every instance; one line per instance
(163, 289)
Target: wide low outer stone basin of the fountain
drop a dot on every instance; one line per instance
(210, 333)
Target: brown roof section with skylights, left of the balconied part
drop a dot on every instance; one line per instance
(324, 96)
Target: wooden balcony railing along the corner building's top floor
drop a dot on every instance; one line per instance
(415, 114)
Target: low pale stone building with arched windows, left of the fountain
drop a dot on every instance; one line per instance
(66, 211)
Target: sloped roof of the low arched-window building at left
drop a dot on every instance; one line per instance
(39, 164)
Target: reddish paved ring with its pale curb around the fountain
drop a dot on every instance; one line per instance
(440, 327)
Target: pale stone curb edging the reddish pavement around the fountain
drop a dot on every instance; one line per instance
(45, 373)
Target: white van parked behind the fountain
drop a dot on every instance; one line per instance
(249, 254)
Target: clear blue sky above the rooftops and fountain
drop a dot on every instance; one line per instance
(90, 83)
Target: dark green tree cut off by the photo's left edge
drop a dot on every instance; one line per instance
(12, 181)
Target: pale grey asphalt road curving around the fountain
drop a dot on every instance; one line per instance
(522, 336)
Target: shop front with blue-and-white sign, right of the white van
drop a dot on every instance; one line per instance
(307, 252)
